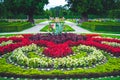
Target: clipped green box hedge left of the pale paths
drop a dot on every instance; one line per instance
(14, 26)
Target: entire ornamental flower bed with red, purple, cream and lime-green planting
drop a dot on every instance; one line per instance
(68, 53)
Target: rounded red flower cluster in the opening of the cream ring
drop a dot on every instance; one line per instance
(57, 50)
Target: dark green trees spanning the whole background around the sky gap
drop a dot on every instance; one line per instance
(79, 8)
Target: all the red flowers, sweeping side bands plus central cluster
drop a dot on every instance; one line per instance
(60, 48)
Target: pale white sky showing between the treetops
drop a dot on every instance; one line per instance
(53, 3)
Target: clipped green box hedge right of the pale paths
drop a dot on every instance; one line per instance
(102, 26)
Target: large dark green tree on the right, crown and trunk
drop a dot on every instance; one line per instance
(85, 7)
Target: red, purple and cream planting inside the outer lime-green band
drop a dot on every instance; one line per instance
(57, 49)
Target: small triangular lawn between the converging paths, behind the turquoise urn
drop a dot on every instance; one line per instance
(67, 28)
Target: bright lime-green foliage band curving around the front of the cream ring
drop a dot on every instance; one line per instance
(110, 66)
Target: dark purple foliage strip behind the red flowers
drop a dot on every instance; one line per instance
(58, 38)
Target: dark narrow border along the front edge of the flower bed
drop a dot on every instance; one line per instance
(88, 75)
